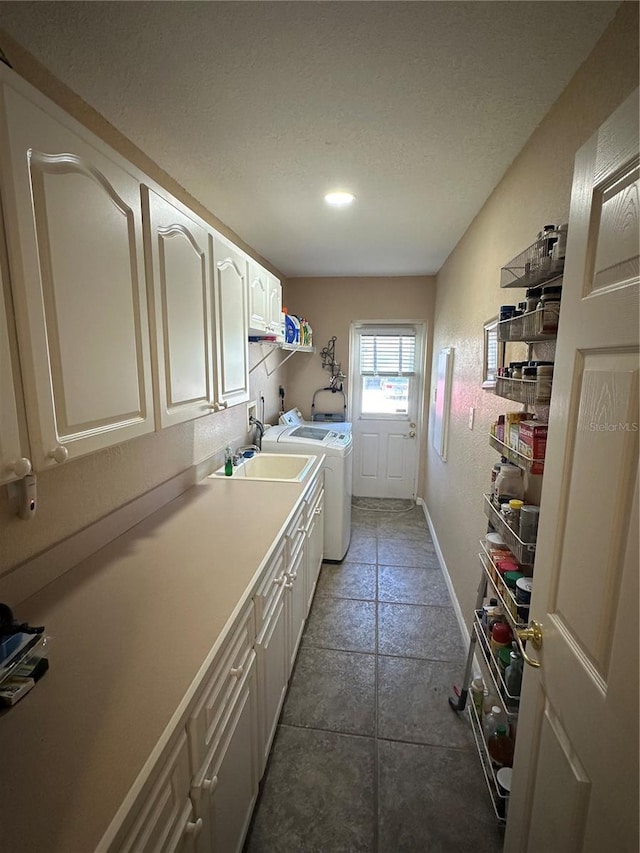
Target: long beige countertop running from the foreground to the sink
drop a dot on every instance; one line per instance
(130, 628)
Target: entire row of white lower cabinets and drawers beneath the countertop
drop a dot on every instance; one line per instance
(201, 798)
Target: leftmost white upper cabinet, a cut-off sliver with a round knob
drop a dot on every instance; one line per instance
(14, 455)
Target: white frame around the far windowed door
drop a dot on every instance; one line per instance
(354, 397)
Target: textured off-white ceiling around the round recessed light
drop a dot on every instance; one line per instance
(259, 108)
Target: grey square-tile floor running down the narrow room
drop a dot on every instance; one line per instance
(368, 756)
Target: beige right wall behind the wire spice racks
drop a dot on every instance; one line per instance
(534, 191)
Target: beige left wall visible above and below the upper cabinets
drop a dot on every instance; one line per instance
(79, 493)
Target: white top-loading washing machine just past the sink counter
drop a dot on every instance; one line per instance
(337, 448)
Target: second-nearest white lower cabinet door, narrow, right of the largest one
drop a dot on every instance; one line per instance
(272, 652)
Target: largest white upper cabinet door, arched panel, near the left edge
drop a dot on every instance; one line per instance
(74, 237)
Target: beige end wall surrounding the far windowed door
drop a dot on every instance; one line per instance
(332, 304)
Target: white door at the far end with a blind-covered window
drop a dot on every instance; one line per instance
(386, 389)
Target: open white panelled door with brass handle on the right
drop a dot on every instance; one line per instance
(575, 782)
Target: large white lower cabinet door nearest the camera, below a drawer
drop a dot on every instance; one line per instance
(227, 789)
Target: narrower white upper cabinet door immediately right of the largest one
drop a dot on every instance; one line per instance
(178, 270)
